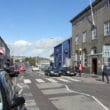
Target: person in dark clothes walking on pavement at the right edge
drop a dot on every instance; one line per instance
(105, 73)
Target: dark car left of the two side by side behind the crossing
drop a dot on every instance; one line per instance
(52, 72)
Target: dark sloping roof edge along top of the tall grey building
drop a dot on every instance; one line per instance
(85, 10)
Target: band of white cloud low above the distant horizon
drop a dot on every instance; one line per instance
(42, 47)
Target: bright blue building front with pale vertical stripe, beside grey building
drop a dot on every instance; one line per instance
(62, 53)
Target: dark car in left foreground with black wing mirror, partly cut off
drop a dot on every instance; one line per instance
(9, 99)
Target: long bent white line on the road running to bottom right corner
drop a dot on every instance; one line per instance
(100, 103)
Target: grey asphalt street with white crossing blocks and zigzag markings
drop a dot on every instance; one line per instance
(62, 93)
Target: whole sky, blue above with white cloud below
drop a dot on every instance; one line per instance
(34, 27)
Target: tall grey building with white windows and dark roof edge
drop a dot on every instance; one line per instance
(91, 36)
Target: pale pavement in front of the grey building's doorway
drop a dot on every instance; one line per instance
(91, 78)
